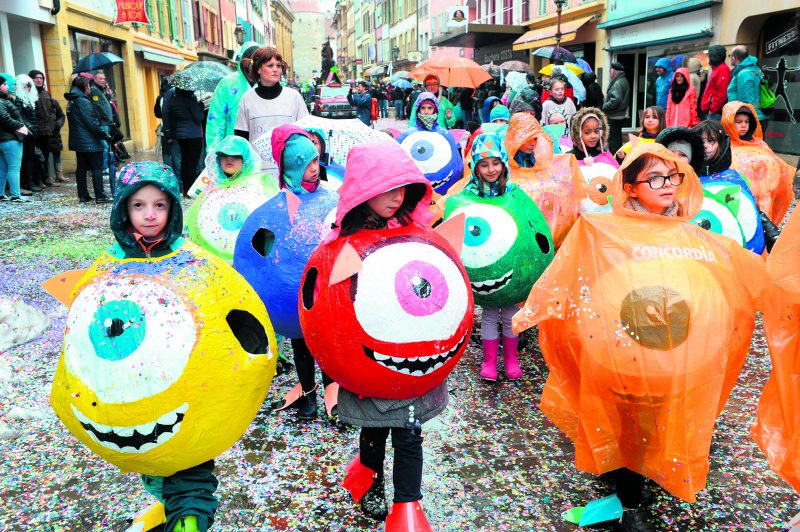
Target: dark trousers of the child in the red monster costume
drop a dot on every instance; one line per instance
(407, 445)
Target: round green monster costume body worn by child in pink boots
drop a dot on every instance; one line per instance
(507, 245)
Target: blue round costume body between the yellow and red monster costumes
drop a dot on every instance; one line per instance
(274, 246)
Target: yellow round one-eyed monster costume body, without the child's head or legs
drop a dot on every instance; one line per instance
(165, 362)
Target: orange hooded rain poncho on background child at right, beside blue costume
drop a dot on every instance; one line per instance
(770, 178)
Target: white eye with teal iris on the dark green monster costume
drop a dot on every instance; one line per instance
(489, 232)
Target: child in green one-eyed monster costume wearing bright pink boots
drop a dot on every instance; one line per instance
(533, 245)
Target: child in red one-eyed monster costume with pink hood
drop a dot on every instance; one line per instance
(385, 195)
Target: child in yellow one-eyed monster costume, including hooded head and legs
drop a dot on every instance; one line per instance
(119, 365)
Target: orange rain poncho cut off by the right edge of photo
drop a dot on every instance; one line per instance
(777, 427)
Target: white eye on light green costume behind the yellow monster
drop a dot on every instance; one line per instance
(223, 213)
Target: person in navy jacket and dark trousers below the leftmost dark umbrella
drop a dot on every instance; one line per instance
(86, 135)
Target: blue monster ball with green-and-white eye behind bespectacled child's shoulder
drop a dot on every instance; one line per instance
(729, 209)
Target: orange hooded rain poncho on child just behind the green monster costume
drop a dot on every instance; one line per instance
(554, 183)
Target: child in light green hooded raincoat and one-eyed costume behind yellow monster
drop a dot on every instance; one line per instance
(236, 187)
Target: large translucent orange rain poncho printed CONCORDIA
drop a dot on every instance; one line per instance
(644, 322)
